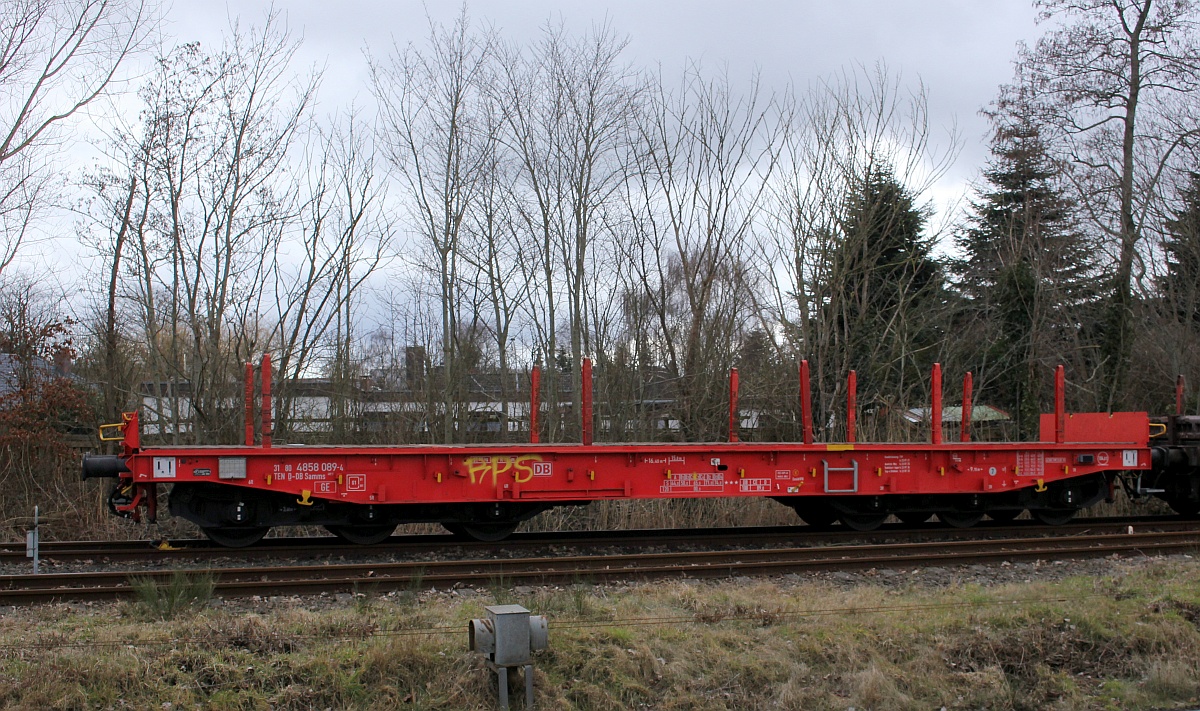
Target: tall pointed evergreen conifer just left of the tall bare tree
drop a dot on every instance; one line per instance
(1027, 271)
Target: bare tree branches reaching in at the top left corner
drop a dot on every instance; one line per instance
(57, 57)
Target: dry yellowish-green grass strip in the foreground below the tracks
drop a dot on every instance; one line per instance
(1130, 641)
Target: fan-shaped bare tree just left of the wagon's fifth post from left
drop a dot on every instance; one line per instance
(706, 157)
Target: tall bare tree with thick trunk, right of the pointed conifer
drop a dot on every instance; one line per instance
(1118, 85)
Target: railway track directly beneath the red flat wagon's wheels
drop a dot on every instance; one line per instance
(328, 547)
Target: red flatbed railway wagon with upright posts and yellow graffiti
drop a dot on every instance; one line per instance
(237, 493)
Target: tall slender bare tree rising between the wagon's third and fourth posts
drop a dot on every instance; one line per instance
(568, 105)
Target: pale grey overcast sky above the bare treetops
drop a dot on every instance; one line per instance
(962, 50)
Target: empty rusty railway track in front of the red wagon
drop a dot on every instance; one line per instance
(383, 577)
